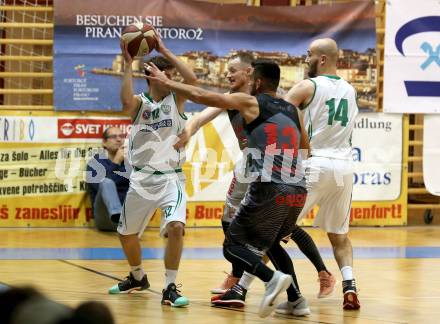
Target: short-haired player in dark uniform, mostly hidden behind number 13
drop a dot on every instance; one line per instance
(234, 288)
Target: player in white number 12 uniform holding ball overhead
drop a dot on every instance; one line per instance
(157, 180)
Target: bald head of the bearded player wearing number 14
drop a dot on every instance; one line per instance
(322, 57)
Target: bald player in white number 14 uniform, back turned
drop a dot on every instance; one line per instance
(330, 109)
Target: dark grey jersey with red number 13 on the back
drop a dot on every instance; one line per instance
(274, 142)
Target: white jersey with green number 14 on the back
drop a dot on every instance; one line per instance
(329, 117)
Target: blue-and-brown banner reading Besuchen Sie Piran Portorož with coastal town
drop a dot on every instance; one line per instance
(88, 65)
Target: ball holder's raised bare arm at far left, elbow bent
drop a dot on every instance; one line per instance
(130, 103)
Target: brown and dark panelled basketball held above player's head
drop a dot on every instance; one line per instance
(140, 39)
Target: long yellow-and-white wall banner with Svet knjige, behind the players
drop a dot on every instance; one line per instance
(43, 159)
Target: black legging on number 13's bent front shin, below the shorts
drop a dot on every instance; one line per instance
(247, 260)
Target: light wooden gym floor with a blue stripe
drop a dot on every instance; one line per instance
(397, 271)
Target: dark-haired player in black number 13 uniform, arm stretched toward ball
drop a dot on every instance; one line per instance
(274, 135)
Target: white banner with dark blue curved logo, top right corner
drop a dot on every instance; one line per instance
(412, 57)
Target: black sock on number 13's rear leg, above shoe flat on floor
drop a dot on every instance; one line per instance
(281, 261)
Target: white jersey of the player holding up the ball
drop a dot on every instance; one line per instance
(153, 134)
